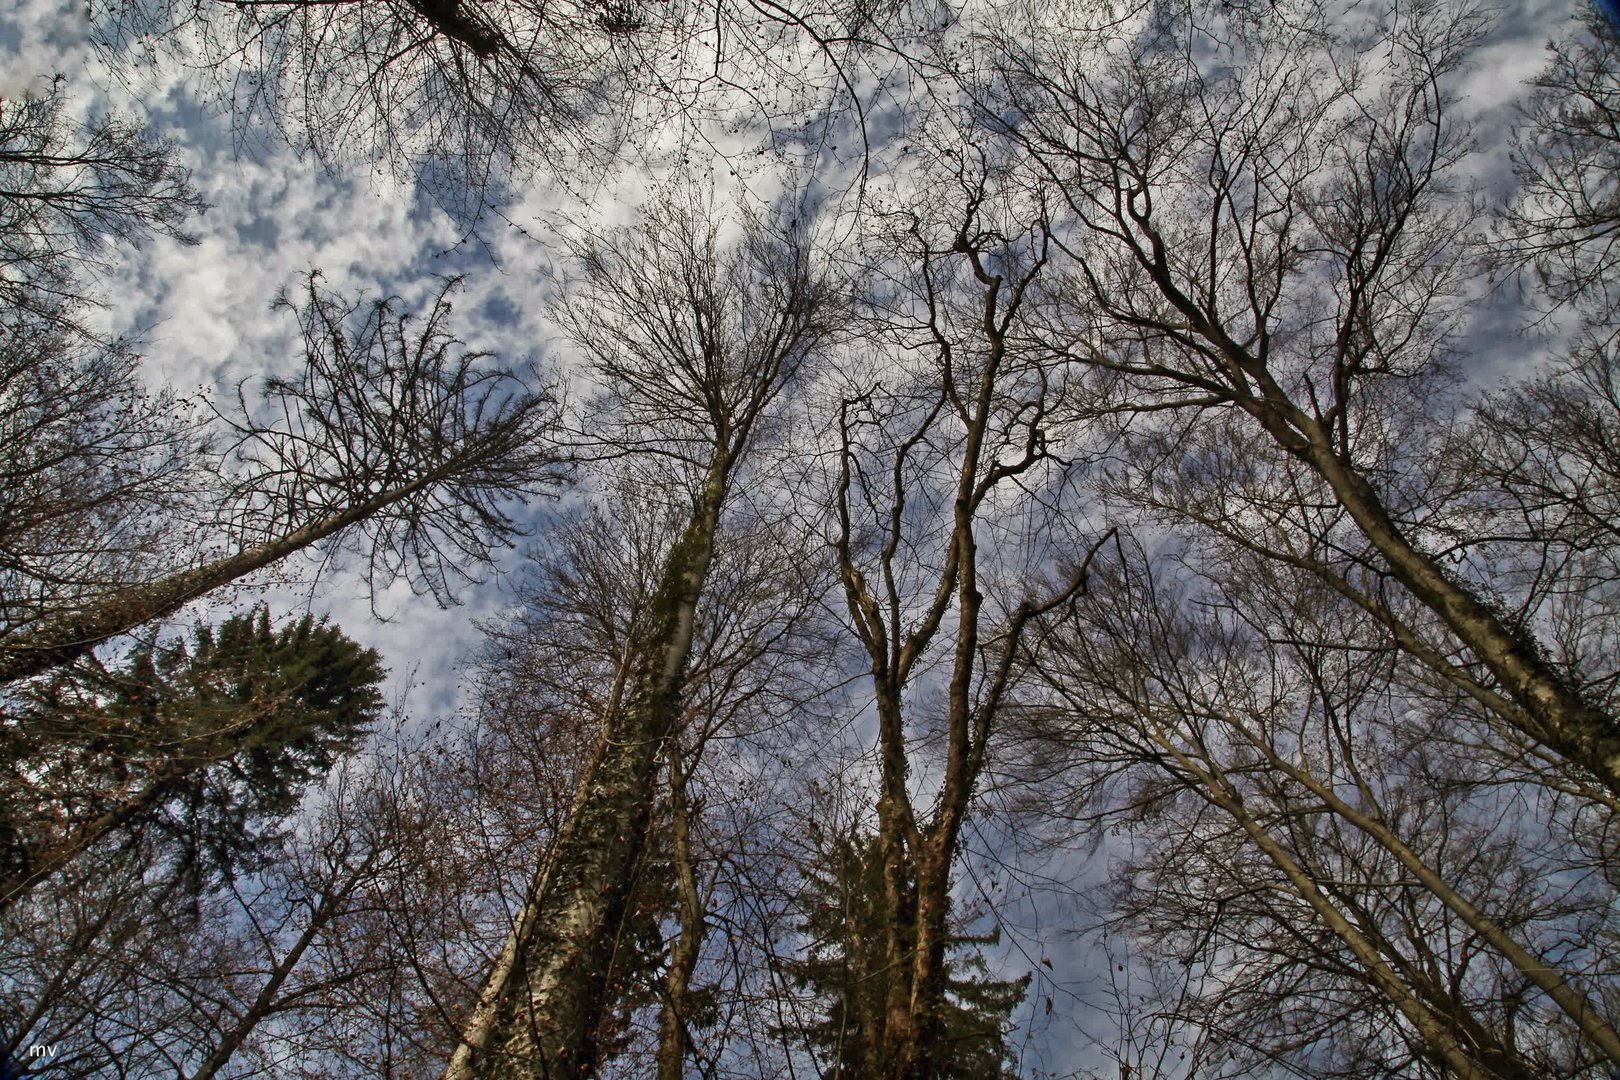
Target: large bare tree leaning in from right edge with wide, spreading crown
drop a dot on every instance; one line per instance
(1282, 237)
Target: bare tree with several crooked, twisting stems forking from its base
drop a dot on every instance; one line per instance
(957, 438)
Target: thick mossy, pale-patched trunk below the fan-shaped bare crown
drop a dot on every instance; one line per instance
(553, 997)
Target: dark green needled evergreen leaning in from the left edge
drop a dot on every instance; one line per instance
(200, 746)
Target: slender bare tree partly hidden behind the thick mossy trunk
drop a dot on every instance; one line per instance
(751, 673)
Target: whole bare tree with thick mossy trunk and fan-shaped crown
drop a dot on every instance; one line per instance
(693, 347)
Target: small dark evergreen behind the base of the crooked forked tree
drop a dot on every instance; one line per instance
(845, 911)
